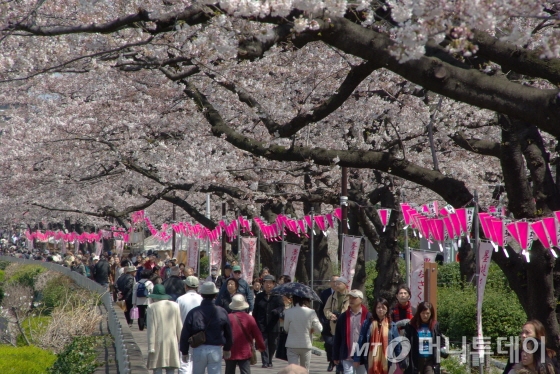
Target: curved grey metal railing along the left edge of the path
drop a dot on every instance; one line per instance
(115, 327)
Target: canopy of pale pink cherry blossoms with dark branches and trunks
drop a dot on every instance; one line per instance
(115, 105)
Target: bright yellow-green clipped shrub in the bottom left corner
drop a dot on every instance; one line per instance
(25, 360)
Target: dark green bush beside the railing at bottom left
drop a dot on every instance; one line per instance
(79, 356)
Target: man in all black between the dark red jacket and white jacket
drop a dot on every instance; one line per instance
(266, 314)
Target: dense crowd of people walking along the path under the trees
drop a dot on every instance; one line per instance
(193, 324)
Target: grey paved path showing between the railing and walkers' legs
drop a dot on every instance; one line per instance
(318, 363)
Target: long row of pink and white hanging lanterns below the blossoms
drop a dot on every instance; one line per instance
(428, 221)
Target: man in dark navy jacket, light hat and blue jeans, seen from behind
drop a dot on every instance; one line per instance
(213, 321)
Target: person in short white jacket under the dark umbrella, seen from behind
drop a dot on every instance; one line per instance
(300, 322)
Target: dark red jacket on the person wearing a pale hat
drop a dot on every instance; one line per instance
(241, 349)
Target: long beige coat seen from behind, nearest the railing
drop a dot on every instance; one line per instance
(164, 331)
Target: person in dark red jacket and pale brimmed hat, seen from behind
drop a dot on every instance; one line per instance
(245, 331)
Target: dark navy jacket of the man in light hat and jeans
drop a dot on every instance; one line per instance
(213, 319)
